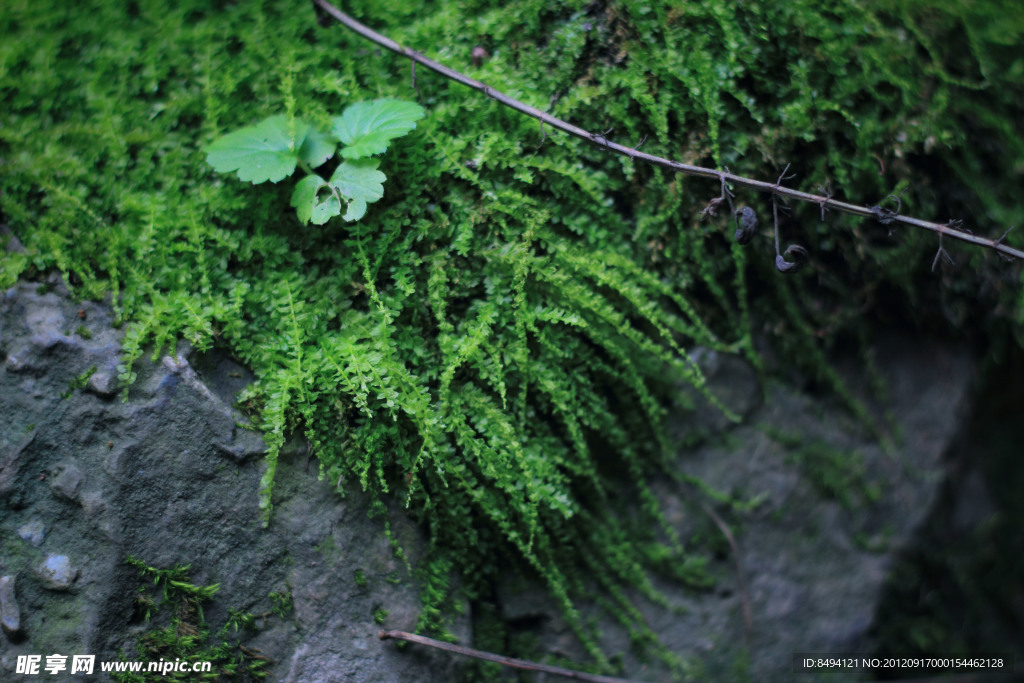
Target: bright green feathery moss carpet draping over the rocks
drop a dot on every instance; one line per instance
(494, 344)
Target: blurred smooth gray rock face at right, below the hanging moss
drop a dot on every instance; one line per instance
(812, 559)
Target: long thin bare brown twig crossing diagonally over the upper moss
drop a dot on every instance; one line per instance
(887, 218)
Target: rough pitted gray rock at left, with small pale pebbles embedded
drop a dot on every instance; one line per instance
(169, 477)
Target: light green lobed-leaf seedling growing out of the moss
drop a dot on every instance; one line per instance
(272, 150)
